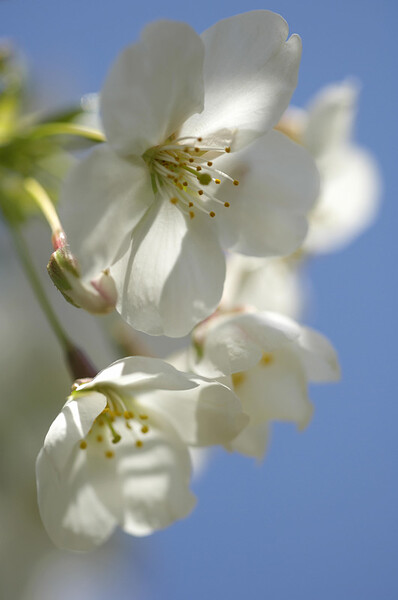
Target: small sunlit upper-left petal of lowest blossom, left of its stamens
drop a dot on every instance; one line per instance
(71, 425)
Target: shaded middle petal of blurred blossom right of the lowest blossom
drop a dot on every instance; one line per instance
(275, 390)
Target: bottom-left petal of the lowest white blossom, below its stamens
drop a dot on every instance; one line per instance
(73, 515)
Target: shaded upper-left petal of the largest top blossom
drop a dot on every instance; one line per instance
(153, 87)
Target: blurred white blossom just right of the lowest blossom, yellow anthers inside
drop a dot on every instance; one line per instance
(268, 360)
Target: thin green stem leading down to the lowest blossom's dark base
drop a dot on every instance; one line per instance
(30, 270)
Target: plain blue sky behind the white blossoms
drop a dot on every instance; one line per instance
(317, 519)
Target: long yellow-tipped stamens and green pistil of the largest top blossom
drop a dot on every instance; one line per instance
(181, 170)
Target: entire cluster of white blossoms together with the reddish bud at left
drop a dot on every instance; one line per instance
(192, 217)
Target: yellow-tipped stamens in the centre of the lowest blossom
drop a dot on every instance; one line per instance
(118, 419)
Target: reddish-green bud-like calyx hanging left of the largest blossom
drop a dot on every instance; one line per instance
(97, 296)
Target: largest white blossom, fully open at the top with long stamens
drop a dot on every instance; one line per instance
(191, 166)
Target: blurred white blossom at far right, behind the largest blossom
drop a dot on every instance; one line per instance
(350, 180)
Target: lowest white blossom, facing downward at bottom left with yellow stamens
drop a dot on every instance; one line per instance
(117, 453)
